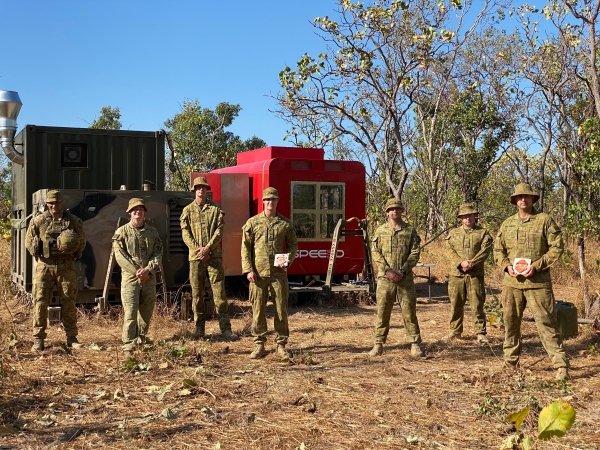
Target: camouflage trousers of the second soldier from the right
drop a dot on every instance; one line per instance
(461, 289)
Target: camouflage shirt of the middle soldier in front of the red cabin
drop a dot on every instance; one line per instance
(262, 238)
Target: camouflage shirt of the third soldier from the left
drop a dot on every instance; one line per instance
(202, 226)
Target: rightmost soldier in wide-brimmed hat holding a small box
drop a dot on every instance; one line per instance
(532, 235)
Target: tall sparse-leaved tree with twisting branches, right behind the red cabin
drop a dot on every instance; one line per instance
(382, 62)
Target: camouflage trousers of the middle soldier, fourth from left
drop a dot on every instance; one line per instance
(259, 293)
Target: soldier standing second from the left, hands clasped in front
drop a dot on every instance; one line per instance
(138, 251)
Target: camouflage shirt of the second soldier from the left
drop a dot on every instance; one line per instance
(137, 248)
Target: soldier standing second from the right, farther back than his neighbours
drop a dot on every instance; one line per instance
(468, 247)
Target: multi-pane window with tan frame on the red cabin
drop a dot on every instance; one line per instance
(316, 218)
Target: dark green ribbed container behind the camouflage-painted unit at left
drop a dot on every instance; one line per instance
(77, 158)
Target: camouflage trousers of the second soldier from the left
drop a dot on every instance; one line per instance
(138, 305)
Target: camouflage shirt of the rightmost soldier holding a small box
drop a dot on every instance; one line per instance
(537, 238)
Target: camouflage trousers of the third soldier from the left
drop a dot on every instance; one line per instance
(216, 276)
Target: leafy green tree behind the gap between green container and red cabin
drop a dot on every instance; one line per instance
(200, 142)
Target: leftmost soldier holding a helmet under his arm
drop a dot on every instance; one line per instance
(55, 239)
